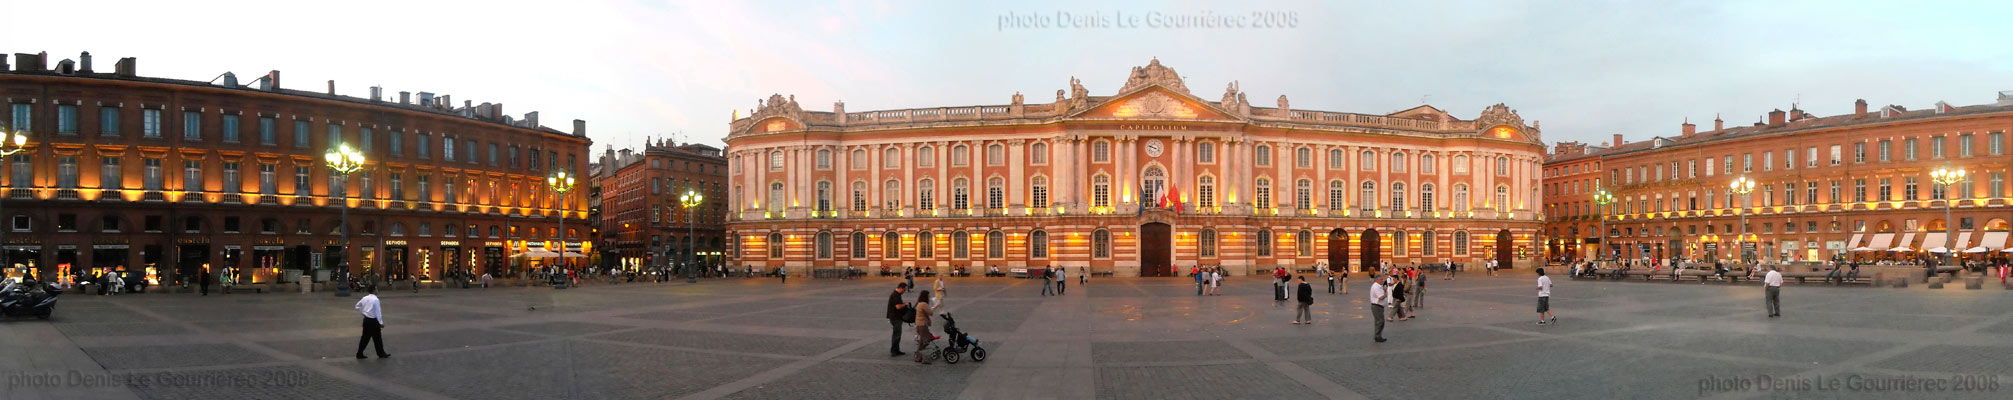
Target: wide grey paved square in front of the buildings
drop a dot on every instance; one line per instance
(1112, 339)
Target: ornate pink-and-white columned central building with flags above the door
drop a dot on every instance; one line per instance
(1146, 182)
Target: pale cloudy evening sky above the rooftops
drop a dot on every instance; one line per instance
(683, 69)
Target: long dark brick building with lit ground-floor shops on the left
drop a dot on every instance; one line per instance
(164, 174)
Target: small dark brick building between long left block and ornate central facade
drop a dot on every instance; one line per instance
(643, 220)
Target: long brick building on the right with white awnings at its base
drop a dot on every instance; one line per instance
(1855, 186)
